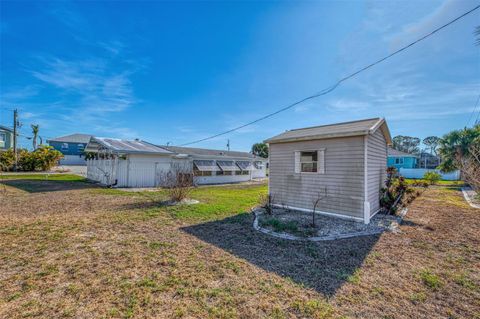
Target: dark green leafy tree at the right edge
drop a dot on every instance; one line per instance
(455, 145)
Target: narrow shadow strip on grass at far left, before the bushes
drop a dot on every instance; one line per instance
(39, 186)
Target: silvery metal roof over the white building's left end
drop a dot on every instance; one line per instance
(123, 146)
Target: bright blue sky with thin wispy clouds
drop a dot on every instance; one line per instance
(179, 71)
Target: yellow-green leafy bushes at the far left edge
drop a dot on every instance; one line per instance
(42, 159)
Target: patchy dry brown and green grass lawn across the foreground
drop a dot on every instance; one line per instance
(70, 249)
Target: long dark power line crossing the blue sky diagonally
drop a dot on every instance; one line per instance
(334, 86)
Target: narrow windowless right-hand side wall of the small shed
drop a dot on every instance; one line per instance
(377, 165)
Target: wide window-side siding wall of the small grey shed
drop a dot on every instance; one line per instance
(343, 178)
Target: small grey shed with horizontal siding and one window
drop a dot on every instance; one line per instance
(343, 165)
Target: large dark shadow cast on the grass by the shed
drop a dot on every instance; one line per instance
(323, 266)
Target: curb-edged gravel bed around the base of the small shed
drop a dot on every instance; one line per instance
(299, 224)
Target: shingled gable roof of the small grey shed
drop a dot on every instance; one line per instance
(354, 128)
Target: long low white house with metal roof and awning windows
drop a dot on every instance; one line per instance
(137, 163)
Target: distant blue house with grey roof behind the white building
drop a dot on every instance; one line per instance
(72, 147)
